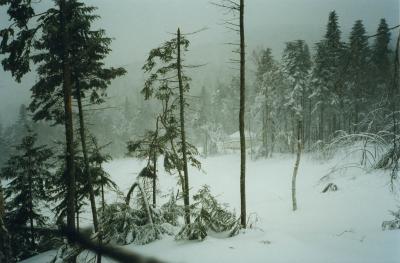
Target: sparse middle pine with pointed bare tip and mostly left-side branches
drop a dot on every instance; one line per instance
(161, 84)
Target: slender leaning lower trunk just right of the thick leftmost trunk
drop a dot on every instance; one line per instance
(87, 166)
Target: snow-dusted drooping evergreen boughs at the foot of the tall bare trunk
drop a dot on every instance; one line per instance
(208, 215)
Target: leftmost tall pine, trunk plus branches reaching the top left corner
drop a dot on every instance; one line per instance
(32, 37)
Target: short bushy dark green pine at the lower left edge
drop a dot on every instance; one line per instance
(27, 171)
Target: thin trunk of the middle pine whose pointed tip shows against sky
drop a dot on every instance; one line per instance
(183, 138)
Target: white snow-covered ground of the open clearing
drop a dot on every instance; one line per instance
(341, 226)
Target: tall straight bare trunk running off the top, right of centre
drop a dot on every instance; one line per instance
(241, 120)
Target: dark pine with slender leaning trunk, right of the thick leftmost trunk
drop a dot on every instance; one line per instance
(90, 77)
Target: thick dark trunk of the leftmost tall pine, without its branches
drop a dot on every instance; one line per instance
(69, 133)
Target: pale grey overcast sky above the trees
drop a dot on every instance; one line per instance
(139, 25)
